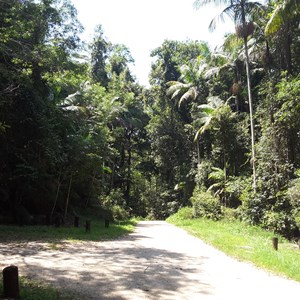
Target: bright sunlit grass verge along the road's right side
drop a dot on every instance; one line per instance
(247, 243)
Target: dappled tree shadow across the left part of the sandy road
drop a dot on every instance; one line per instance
(114, 269)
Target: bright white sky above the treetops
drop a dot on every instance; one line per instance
(143, 25)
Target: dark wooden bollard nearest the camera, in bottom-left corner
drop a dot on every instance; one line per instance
(11, 287)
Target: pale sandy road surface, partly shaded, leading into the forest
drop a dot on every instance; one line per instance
(157, 261)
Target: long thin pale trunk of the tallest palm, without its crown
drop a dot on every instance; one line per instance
(251, 114)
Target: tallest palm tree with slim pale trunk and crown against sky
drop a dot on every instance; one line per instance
(240, 12)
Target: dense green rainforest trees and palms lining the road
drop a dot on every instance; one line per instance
(77, 130)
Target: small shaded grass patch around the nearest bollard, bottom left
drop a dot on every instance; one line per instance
(34, 290)
